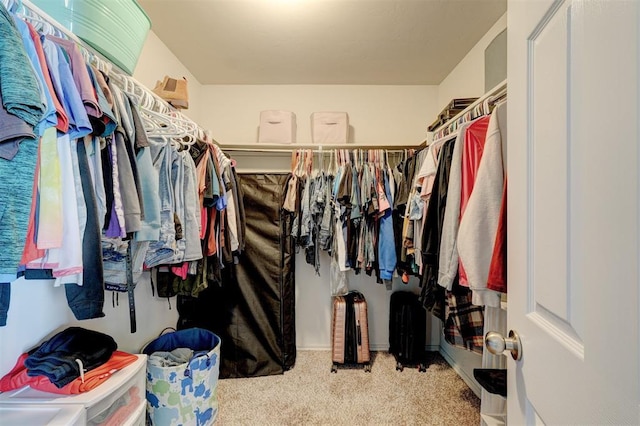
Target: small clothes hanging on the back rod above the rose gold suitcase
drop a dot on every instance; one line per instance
(349, 213)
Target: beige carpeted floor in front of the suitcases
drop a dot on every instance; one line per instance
(309, 394)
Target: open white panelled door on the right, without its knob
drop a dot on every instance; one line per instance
(573, 213)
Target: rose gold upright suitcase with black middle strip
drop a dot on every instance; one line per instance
(350, 331)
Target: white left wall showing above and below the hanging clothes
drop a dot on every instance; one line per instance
(37, 309)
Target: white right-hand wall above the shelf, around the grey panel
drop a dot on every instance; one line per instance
(467, 78)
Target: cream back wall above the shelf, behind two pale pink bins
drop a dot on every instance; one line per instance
(379, 115)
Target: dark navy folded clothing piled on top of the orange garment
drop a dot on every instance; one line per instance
(62, 357)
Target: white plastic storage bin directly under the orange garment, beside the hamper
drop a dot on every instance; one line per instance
(100, 403)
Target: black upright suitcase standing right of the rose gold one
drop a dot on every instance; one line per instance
(407, 330)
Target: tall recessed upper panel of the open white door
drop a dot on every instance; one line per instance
(547, 70)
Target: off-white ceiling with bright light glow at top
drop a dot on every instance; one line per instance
(373, 42)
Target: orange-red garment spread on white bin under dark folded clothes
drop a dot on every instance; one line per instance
(18, 378)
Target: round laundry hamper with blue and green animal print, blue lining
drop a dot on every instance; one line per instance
(186, 393)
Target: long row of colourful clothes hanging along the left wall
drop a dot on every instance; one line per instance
(105, 188)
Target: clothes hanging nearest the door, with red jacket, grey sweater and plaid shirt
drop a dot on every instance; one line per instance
(474, 217)
